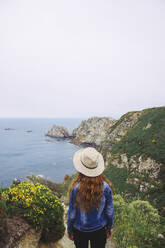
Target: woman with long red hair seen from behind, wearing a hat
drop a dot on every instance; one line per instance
(90, 214)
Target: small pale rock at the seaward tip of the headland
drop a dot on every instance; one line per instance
(58, 132)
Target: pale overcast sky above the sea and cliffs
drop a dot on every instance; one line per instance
(81, 58)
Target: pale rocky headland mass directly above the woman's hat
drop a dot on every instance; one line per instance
(92, 131)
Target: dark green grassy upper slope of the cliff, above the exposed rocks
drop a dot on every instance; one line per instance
(147, 137)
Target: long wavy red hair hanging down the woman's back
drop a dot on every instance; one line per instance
(90, 191)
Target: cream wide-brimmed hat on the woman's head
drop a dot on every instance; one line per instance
(89, 162)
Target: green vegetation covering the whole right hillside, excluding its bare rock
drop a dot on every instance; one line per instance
(135, 218)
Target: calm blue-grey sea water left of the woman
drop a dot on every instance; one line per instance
(23, 153)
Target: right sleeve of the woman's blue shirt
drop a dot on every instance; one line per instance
(109, 210)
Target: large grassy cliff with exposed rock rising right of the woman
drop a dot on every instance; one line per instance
(136, 143)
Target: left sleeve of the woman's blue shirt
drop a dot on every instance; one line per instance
(71, 212)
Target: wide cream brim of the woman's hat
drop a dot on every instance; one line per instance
(84, 170)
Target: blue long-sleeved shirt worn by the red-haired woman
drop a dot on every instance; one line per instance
(93, 220)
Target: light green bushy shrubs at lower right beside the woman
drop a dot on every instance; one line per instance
(136, 224)
